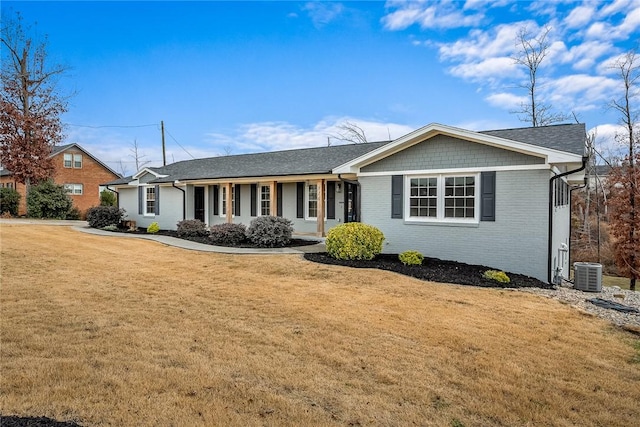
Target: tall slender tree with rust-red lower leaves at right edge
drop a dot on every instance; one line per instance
(624, 201)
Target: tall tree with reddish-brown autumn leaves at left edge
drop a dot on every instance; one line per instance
(30, 105)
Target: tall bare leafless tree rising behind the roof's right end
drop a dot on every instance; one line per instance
(531, 53)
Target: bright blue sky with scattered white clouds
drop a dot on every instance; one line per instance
(236, 77)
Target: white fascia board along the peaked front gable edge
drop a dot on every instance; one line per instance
(550, 155)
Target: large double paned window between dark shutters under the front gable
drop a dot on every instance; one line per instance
(443, 198)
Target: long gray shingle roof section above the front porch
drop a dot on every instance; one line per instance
(319, 160)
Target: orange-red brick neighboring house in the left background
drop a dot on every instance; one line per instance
(75, 168)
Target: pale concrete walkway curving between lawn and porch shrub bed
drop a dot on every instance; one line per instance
(82, 226)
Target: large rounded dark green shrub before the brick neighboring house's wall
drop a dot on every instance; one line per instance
(48, 200)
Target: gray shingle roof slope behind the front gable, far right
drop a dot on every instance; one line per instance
(567, 137)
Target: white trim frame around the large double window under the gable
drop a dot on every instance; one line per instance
(440, 218)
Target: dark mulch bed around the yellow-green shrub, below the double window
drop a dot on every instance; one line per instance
(435, 270)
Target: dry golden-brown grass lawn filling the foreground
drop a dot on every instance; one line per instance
(113, 331)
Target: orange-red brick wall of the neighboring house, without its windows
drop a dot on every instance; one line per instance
(91, 175)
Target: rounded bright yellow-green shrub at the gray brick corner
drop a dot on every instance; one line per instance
(354, 240)
